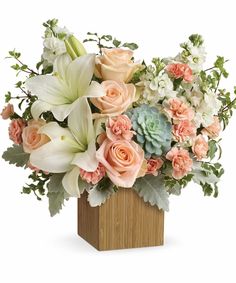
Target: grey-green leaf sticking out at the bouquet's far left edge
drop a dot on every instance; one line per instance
(16, 155)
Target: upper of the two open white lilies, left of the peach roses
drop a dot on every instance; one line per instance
(61, 92)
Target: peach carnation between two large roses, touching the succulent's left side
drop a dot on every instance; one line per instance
(119, 128)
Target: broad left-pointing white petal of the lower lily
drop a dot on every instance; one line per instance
(54, 157)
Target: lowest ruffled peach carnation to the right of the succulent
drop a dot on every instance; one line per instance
(181, 162)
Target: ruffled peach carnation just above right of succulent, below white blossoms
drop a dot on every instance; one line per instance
(178, 110)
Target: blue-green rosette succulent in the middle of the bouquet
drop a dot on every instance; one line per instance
(153, 130)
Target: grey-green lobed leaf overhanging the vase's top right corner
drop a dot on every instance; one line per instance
(152, 189)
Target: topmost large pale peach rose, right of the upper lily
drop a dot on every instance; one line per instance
(115, 64)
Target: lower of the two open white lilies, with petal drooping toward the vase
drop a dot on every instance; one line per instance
(69, 148)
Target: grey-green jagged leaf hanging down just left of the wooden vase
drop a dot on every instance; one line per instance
(56, 193)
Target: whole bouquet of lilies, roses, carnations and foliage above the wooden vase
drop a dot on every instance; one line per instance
(100, 122)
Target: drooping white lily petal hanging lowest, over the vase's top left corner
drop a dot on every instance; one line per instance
(70, 182)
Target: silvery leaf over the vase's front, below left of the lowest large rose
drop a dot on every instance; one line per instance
(100, 192)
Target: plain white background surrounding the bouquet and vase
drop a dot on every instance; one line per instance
(200, 232)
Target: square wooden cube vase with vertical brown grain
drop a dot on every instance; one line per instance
(124, 221)
